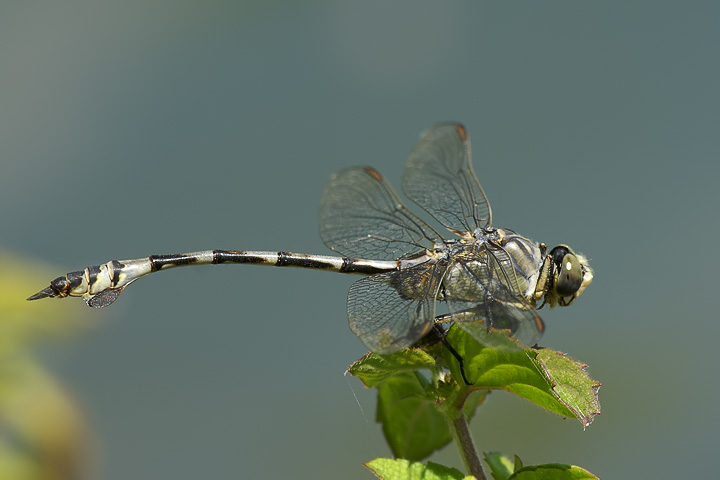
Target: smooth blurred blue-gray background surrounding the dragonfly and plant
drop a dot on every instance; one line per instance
(132, 128)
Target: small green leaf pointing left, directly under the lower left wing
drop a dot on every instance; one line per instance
(374, 368)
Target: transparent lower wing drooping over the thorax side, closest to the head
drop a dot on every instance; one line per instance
(483, 300)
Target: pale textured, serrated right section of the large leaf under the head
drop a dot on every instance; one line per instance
(571, 384)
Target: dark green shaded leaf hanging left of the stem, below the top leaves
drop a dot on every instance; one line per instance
(412, 425)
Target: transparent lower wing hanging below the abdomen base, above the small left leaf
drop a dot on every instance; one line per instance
(391, 311)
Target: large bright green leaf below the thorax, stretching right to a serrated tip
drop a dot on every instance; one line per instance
(549, 384)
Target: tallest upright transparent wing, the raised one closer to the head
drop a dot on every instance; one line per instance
(439, 178)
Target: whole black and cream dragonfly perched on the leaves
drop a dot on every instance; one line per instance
(490, 279)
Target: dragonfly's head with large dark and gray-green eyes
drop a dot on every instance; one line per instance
(569, 276)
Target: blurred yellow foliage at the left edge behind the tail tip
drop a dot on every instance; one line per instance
(42, 434)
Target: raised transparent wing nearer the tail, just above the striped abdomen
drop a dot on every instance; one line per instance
(361, 216)
